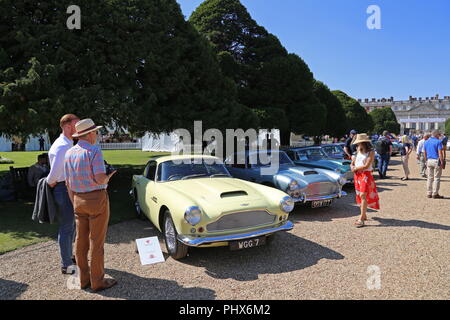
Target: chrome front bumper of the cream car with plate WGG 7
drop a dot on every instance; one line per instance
(194, 241)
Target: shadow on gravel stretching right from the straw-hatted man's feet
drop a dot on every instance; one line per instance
(132, 287)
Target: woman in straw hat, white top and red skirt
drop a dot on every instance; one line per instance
(365, 187)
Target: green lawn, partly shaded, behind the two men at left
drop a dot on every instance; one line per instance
(18, 230)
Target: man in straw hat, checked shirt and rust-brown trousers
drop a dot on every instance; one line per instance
(87, 181)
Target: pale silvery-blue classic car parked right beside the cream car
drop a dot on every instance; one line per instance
(317, 187)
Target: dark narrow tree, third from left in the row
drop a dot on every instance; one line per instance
(336, 122)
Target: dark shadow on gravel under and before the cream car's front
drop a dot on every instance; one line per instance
(286, 253)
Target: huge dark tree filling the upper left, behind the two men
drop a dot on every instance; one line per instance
(135, 63)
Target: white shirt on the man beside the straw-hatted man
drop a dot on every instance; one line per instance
(56, 156)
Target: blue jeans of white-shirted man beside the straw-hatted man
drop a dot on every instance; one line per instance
(66, 220)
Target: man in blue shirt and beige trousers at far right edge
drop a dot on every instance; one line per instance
(434, 157)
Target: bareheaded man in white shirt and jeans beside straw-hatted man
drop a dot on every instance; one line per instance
(56, 180)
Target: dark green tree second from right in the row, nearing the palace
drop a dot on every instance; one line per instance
(357, 117)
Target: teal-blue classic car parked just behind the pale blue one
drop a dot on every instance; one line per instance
(315, 157)
